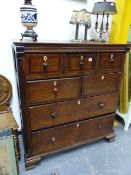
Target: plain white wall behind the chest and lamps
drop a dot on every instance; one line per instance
(53, 24)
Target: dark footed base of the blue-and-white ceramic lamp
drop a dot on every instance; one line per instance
(29, 33)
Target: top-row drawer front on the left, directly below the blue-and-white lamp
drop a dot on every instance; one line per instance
(47, 65)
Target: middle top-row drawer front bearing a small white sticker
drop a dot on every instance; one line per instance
(80, 63)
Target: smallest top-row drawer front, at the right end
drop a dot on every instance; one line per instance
(111, 62)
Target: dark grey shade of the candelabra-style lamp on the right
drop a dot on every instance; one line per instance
(104, 7)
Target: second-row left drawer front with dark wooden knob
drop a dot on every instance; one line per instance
(52, 90)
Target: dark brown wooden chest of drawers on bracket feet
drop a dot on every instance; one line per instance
(68, 93)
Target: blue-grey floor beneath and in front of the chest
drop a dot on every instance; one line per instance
(96, 158)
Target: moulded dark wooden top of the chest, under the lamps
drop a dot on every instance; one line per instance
(62, 46)
